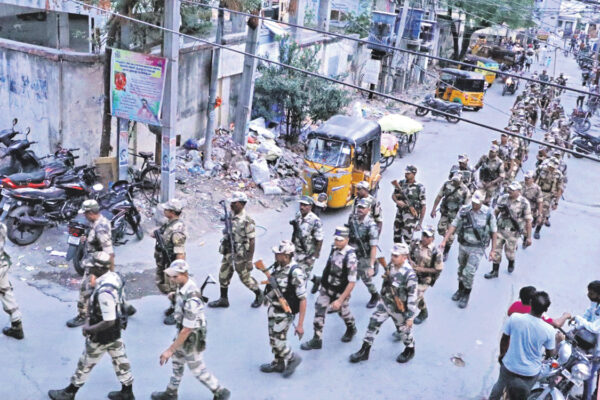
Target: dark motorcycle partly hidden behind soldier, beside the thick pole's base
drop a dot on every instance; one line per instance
(118, 207)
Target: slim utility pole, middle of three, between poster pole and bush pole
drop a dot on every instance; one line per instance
(212, 92)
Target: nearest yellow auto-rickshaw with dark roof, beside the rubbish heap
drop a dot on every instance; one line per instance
(339, 154)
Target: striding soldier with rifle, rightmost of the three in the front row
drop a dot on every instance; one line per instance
(399, 286)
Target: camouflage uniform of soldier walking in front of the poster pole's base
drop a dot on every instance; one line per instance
(174, 236)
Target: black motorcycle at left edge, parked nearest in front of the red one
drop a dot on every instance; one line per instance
(28, 211)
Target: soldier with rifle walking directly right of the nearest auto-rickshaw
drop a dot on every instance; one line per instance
(409, 197)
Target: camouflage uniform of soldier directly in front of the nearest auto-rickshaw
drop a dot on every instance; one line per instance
(311, 232)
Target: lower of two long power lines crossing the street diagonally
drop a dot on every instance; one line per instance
(356, 87)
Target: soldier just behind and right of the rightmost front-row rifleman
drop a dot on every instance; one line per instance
(426, 261)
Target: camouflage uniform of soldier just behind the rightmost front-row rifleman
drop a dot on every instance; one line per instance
(425, 257)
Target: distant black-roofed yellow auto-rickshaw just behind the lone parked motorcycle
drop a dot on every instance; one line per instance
(465, 87)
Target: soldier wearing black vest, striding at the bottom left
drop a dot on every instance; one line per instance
(102, 331)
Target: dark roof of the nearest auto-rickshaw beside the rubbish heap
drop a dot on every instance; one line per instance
(347, 129)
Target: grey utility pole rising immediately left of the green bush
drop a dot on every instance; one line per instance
(247, 89)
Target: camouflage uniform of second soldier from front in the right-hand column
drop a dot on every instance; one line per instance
(508, 233)
